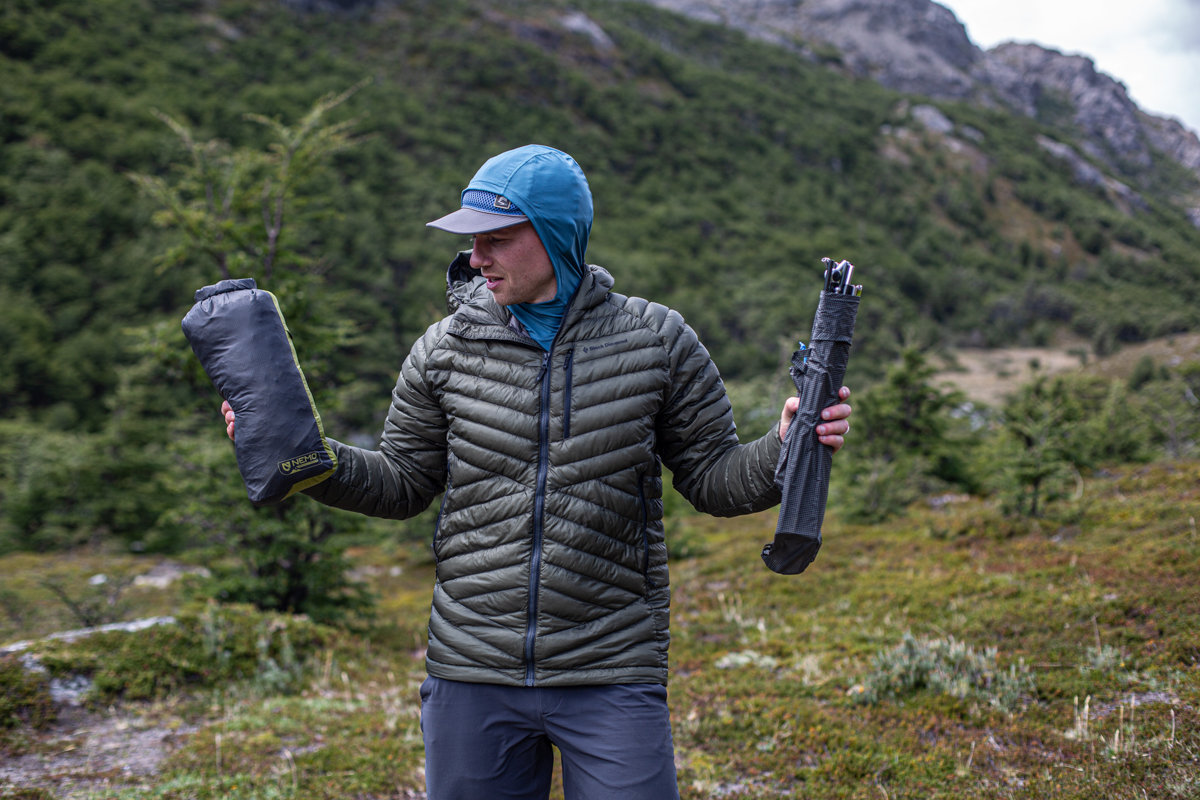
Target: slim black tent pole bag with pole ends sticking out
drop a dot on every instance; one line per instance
(805, 466)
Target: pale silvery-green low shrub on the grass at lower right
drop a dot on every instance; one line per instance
(945, 666)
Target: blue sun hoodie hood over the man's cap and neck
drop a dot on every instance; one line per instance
(551, 190)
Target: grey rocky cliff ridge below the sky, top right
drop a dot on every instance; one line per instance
(921, 47)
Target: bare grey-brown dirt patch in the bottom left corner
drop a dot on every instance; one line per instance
(85, 753)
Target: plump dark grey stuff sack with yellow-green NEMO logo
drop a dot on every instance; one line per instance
(238, 333)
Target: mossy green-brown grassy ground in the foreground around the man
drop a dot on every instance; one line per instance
(1091, 693)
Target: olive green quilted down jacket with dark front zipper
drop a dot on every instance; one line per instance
(551, 561)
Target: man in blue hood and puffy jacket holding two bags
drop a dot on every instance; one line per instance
(547, 406)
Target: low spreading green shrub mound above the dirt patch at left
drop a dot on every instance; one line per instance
(211, 647)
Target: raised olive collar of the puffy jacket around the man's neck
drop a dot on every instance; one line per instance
(476, 314)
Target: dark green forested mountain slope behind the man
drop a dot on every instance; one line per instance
(723, 170)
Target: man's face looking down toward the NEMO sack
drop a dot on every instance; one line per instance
(515, 264)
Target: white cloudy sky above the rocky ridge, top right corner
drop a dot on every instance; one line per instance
(1151, 46)
